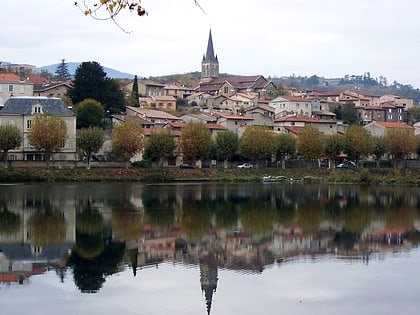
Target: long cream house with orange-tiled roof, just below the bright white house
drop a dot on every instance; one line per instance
(292, 124)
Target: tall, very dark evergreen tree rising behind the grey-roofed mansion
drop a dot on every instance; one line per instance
(90, 81)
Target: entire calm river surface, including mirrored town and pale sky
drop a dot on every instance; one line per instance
(124, 248)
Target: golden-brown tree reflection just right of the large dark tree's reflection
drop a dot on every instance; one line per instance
(127, 223)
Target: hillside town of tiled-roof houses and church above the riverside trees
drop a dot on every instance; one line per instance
(222, 103)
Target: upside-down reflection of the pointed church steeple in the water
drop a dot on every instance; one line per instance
(208, 278)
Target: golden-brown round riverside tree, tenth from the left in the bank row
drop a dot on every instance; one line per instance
(309, 143)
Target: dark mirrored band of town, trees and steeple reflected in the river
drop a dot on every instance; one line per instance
(91, 231)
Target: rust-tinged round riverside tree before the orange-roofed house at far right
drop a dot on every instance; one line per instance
(401, 142)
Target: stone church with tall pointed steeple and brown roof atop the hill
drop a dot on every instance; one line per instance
(214, 84)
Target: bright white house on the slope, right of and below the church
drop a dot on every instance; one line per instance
(286, 105)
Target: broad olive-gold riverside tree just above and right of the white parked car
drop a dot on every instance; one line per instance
(257, 143)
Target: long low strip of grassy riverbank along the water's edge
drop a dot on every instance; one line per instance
(351, 176)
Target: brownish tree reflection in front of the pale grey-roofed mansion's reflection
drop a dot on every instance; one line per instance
(47, 226)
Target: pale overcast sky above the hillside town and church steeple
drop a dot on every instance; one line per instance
(329, 38)
